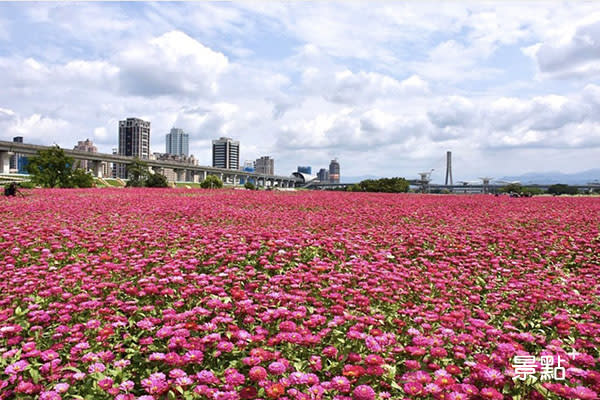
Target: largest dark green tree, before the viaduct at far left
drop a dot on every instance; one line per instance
(51, 168)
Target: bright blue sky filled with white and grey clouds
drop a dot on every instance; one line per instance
(385, 87)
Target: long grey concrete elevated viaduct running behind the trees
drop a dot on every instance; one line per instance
(185, 172)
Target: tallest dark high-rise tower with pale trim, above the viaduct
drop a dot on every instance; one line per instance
(134, 141)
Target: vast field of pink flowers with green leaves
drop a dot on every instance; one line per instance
(199, 294)
